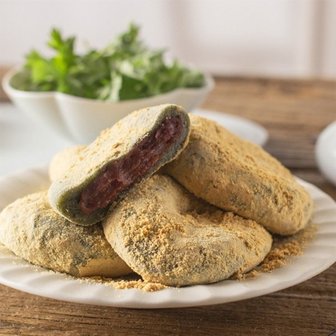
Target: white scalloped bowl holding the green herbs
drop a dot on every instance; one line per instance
(82, 119)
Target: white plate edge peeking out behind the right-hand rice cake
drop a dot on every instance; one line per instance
(244, 128)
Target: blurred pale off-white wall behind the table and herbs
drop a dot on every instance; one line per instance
(263, 38)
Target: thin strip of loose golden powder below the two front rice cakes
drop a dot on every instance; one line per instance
(132, 281)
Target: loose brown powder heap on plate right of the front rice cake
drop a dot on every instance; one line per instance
(283, 248)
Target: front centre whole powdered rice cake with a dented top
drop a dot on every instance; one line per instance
(168, 236)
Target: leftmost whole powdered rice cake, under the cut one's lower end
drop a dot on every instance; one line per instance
(33, 231)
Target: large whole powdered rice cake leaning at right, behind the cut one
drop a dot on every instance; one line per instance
(238, 176)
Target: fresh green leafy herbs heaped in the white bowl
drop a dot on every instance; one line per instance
(125, 69)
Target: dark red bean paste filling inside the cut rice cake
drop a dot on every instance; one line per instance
(118, 176)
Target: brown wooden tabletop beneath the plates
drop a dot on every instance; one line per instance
(294, 112)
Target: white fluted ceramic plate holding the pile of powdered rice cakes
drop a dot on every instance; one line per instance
(16, 273)
